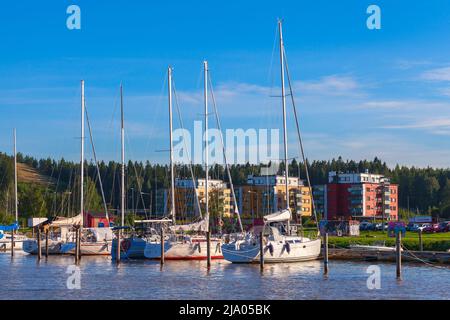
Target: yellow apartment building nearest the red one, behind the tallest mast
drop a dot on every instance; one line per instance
(266, 194)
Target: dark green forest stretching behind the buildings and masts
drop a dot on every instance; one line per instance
(421, 190)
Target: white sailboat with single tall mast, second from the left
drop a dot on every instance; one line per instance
(94, 241)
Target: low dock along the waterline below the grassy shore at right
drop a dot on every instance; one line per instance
(389, 256)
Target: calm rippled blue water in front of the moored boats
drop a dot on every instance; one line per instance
(24, 278)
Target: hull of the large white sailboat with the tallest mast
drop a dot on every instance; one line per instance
(274, 252)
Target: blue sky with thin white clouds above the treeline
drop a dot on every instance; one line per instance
(360, 93)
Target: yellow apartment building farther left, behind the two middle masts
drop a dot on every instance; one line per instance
(220, 200)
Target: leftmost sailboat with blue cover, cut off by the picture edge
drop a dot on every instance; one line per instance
(6, 238)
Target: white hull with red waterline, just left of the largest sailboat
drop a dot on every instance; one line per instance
(183, 250)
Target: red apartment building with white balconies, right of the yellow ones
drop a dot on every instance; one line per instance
(360, 195)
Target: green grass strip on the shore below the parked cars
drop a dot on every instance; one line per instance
(431, 242)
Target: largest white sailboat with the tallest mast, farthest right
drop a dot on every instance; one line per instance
(279, 244)
